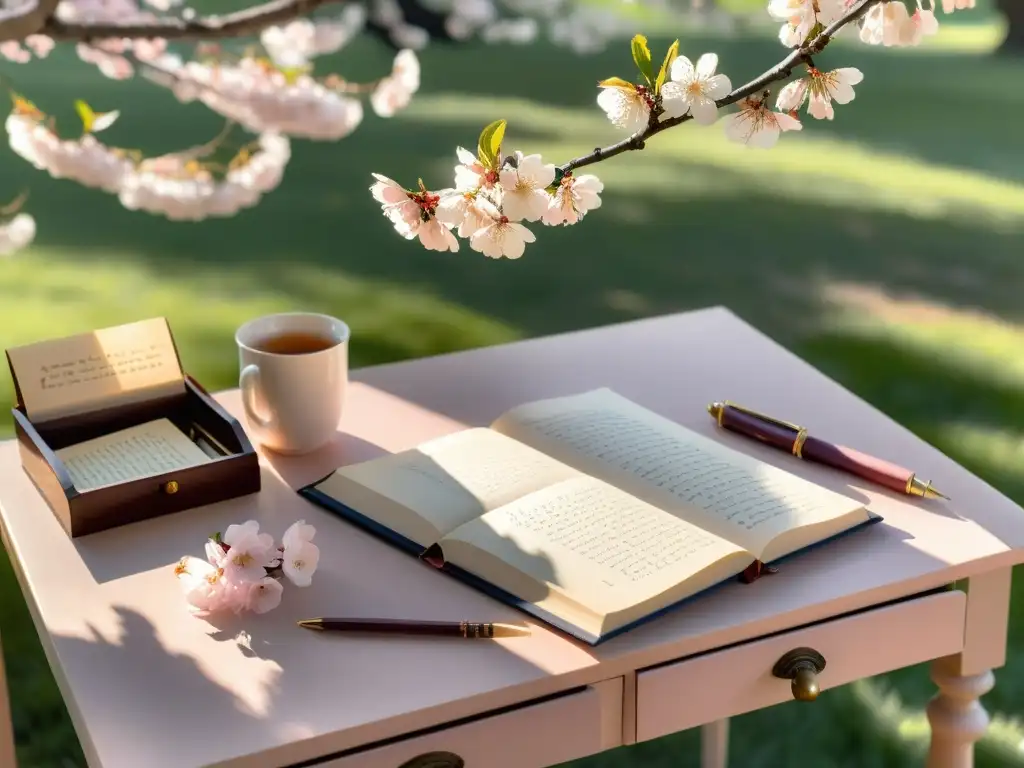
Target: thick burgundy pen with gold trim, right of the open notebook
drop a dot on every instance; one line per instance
(795, 440)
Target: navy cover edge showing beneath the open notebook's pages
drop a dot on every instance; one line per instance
(333, 505)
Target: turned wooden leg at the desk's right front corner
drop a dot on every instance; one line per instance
(957, 717)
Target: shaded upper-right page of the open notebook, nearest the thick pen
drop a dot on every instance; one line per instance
(729, 493)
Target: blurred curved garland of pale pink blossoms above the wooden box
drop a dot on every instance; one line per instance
(180, 186)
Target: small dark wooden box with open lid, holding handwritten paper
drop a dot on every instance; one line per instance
(92, 387)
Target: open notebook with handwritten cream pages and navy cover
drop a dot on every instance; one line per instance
(589, 513)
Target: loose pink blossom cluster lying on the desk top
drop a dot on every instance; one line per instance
(244, 569)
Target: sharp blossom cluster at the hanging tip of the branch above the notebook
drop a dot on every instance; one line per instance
(494, 195)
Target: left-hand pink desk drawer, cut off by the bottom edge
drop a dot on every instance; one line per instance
(535, 736)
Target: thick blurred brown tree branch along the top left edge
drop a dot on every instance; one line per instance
(240, 24)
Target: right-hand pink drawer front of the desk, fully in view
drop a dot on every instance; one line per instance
(720, 685)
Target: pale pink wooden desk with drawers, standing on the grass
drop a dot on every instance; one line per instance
(150, 688)
